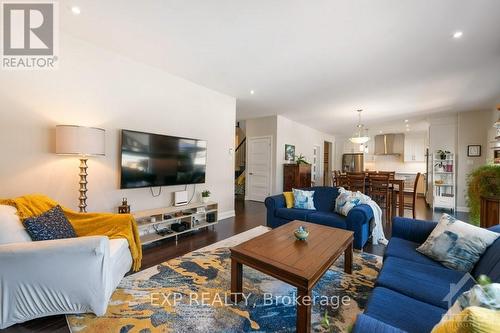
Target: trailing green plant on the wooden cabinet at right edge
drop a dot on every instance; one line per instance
(484, 181)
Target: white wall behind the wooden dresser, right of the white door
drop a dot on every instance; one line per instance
(304, 139)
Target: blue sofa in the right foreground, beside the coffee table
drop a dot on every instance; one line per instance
(411, 288)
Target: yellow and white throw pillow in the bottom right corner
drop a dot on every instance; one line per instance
(473, 319)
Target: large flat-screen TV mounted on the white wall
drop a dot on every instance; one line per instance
(149, 160)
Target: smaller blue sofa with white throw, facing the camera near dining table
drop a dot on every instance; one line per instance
(358, 219)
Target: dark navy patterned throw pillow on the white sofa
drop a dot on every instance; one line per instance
(52, 224)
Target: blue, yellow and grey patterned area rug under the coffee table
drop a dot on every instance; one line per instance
(191, 294)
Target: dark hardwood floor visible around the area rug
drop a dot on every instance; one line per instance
(248, 215)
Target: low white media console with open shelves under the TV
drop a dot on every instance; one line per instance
(157, 224)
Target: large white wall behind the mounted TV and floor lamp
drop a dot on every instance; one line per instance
(94, 87)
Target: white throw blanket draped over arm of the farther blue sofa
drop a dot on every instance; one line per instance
(347, 200)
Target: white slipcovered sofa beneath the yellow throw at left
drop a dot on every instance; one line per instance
(74, 275)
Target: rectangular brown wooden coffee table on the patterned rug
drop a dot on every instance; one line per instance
(299, 263)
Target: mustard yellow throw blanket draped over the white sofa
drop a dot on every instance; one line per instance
(85, 224)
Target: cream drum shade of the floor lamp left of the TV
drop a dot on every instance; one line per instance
(80, 140)
